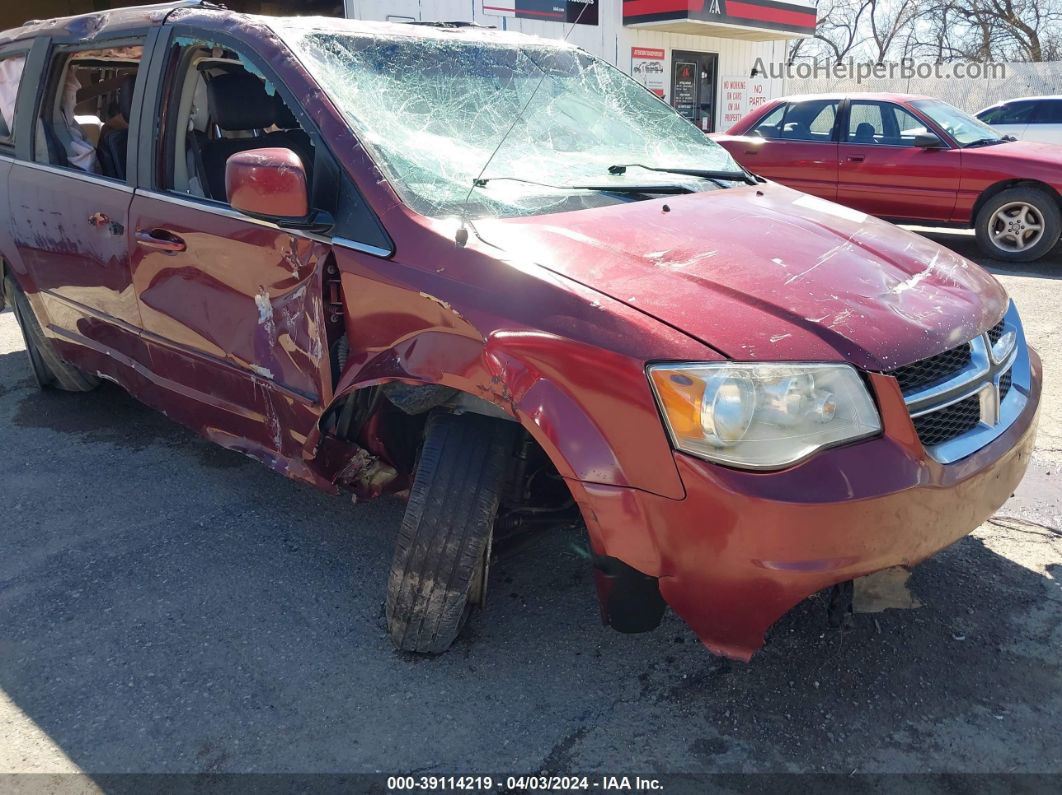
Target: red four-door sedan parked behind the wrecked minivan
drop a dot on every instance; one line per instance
(912, 160)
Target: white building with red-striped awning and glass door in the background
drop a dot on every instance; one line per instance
(697, 55)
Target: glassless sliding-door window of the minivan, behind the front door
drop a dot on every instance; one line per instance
(83, 124)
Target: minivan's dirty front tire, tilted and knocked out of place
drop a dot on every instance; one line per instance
(446, 533)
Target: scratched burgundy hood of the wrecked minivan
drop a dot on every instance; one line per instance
(767, 273)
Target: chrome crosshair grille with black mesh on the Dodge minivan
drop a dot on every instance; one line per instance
(964, 399)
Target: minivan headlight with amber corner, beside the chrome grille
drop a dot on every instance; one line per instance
(763, 417)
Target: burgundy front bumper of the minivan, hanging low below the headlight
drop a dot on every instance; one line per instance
(743, 548)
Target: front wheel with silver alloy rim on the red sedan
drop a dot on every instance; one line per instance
(1019, 224)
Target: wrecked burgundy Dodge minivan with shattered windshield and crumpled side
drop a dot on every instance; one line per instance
(494, 274)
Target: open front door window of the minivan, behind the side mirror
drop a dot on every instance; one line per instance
(225, 109)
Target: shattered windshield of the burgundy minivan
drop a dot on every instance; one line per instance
(435, 109)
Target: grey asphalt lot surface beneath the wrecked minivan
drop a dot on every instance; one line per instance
(167, 606)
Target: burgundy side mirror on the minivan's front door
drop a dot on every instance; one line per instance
(269, 184)
